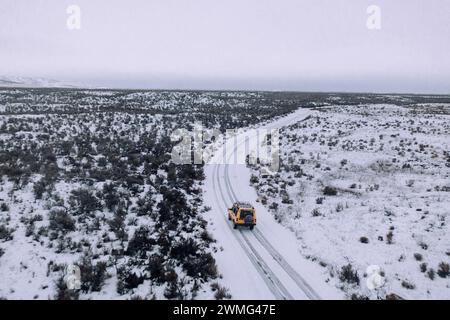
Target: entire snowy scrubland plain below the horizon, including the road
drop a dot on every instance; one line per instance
(87, 179)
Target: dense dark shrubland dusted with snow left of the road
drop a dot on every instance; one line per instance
(86, 179)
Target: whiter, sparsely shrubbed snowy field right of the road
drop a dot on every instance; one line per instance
(368, 185)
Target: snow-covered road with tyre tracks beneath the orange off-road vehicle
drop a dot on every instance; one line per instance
(264, 263)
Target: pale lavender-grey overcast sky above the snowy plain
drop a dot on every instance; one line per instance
(320, 45)
